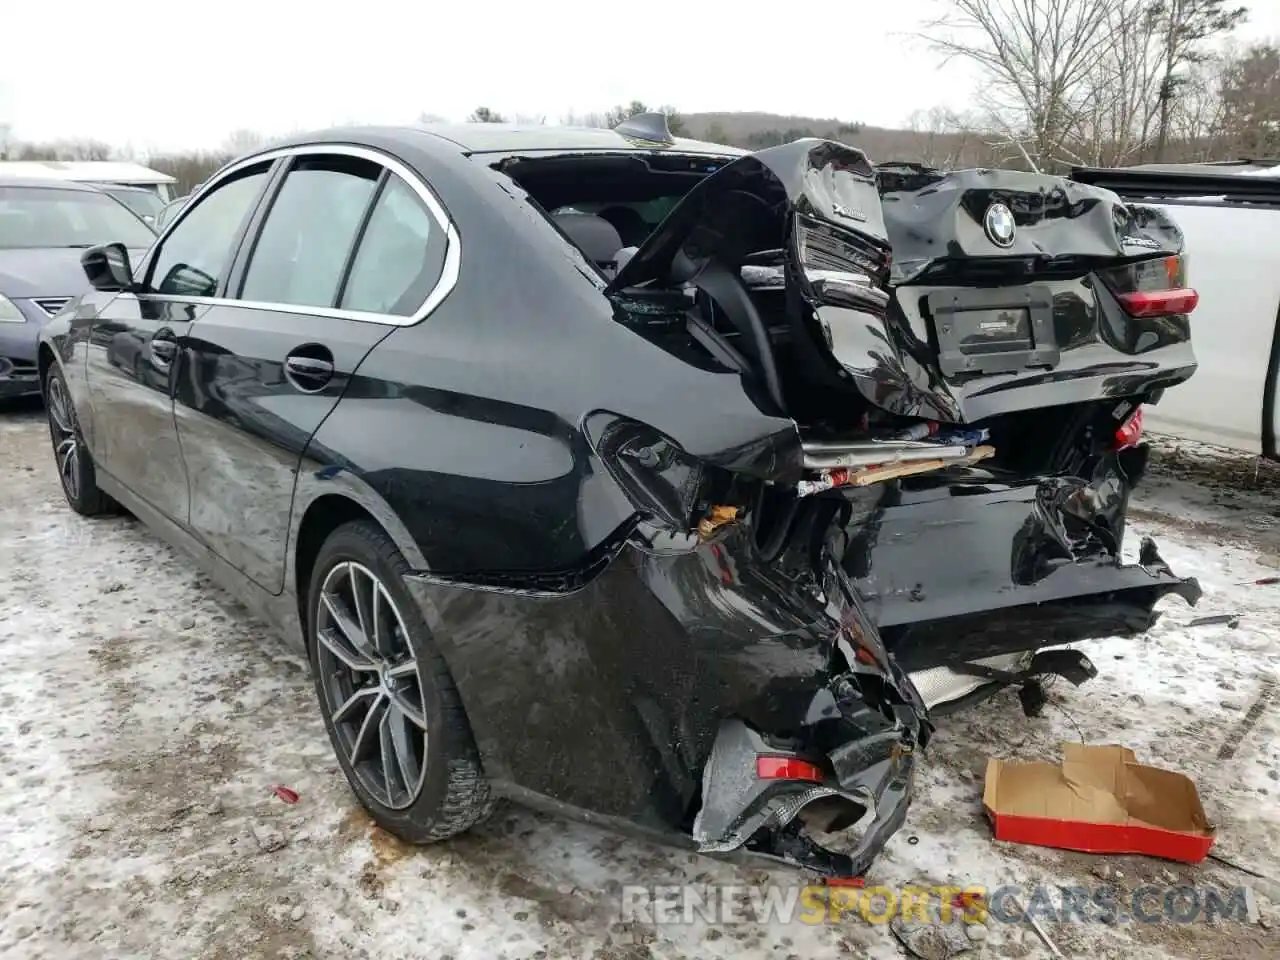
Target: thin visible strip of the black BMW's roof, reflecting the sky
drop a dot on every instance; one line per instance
(509, 138)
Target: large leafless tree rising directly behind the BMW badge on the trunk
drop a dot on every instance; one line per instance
(1039, 57)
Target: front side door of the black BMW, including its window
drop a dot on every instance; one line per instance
(131, 363)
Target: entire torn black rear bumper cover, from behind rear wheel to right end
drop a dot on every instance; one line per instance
(643, 694)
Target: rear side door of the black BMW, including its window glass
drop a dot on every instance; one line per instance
(263, 369)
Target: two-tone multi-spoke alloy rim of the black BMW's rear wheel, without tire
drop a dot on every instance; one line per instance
(372, 688)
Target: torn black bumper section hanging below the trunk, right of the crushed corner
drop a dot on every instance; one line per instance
(1032, 563)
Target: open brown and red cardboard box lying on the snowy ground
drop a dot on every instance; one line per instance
(1100, 801)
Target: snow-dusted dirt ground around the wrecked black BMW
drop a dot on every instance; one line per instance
(147, 719)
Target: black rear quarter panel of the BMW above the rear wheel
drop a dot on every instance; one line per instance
(470, 424)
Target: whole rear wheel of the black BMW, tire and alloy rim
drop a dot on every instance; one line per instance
(386, 693)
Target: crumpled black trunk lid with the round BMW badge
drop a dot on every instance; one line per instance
(948, 296)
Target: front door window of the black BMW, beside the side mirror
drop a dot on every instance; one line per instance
(198, 254)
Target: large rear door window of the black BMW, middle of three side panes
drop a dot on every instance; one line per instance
(310, 231)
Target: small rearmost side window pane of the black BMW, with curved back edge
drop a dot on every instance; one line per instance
(401, 255)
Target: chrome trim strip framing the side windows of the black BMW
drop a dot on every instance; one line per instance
(444, 287)
